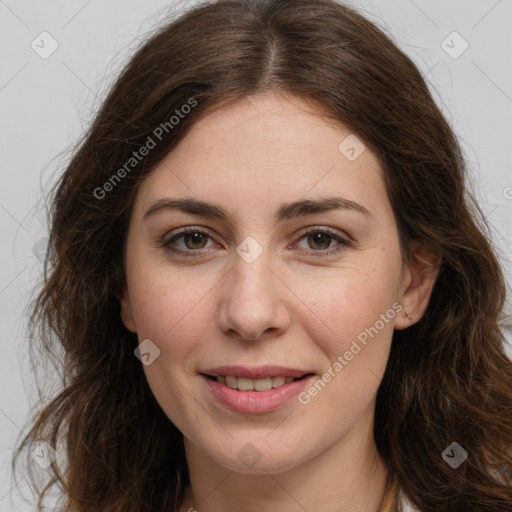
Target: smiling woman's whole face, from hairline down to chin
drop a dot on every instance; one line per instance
(249, 289)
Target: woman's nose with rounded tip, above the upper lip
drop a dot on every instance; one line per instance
(253, 299)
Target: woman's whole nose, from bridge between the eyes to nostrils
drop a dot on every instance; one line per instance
(252, 298)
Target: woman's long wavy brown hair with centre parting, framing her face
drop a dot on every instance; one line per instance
(448, 378)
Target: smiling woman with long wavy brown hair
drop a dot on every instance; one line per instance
(257, 370)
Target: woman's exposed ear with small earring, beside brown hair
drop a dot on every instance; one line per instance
(418, 278)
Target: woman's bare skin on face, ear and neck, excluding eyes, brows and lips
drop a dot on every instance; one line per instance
(291, 306)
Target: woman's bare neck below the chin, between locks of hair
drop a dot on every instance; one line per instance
(348, 477)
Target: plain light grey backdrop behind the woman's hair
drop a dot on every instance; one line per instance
(46, 103)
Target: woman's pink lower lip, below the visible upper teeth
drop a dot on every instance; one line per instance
(255, 401)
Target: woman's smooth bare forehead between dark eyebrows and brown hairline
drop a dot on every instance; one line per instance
(262, 150)
